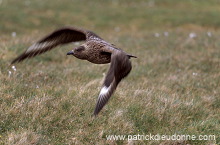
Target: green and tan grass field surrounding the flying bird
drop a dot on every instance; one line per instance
(174, 87)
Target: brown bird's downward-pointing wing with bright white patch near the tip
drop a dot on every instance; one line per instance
(119, 68)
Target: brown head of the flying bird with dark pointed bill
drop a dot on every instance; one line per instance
(78, 52)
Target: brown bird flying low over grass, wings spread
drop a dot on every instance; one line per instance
(95, 50)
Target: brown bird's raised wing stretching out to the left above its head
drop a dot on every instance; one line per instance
(58, 37)
